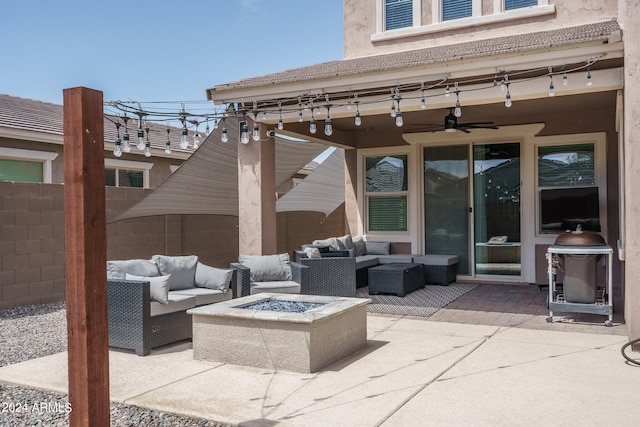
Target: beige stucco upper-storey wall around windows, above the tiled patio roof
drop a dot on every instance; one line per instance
(360, 24)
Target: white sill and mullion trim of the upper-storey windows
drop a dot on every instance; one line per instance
(437, 25)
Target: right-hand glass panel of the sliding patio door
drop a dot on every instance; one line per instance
(496, 208)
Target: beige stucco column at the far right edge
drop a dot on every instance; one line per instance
(629, 14)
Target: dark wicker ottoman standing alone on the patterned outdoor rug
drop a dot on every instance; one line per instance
(396, 278)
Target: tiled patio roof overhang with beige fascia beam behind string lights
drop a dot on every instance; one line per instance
(473, 66)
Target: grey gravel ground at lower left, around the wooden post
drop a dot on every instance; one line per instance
(37, 331)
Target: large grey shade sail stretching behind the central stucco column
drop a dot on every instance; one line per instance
(207, 182)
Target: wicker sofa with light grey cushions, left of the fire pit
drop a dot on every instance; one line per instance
(148, 299)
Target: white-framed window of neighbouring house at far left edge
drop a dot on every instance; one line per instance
(26, 165)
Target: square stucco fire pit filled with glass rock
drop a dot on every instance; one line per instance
(292, 332)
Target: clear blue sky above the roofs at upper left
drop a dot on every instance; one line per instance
(159, 50)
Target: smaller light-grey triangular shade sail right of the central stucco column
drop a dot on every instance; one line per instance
(321, 191)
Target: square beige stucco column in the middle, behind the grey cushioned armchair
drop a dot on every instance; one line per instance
(256, 195)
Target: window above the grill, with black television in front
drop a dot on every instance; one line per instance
(568, 191)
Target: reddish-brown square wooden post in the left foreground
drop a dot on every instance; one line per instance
(86, 249)
